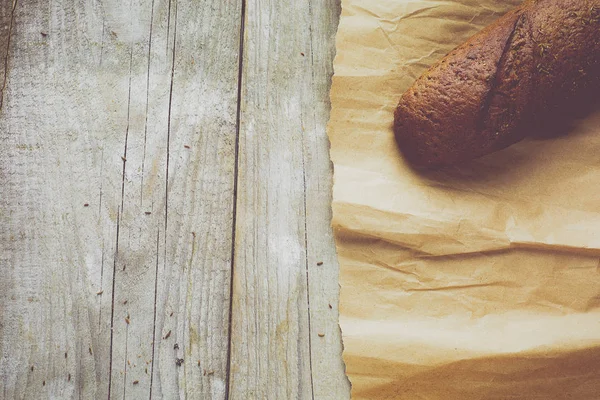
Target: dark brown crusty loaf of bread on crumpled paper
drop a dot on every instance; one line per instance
(528, 72)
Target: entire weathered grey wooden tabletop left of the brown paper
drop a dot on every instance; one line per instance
(165, 200)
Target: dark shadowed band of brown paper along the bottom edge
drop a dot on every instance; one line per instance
(549, 374)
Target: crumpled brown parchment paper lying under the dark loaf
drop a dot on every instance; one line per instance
(476, 282)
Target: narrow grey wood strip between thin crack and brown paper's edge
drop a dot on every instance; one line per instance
(329, 379)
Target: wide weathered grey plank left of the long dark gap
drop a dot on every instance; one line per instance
(118, 123)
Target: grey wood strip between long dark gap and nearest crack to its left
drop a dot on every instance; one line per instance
(200, 197)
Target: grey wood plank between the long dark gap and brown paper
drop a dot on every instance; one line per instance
(283, 202)
